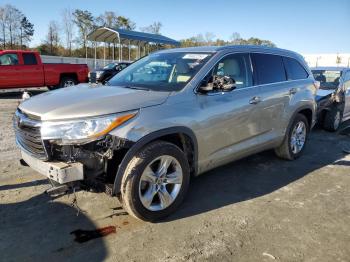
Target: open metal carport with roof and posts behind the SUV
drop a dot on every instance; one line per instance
(123, 37)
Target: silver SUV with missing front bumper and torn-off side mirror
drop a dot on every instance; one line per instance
(167, 117)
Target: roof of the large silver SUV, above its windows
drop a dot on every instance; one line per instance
(235, 48)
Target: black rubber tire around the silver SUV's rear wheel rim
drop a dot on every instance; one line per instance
(286, 151)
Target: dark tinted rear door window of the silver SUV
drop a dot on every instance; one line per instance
(268, 68)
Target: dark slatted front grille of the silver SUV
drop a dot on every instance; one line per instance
(28, 135)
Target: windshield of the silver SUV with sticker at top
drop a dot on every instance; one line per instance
(161, 71)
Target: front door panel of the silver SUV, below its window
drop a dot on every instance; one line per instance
(229, 126)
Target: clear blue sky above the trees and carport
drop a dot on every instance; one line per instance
(305, 26)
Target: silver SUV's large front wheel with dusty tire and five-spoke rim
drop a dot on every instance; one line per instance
(136, 187)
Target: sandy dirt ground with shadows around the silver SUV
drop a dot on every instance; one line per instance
(257, 209)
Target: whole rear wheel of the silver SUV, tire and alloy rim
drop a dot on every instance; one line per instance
(294, 142)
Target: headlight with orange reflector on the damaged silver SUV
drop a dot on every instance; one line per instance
(83, 130)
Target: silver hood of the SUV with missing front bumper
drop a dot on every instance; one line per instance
(86, 100)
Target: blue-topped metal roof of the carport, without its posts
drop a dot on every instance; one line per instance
(111, 35)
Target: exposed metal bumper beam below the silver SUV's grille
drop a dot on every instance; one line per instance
(58, 171)
